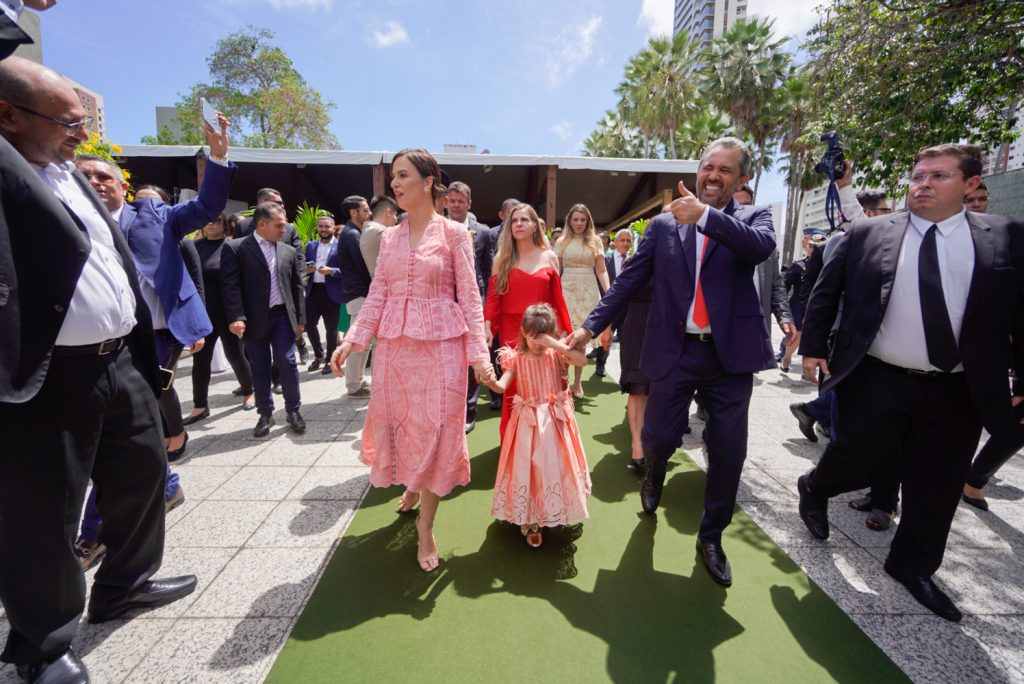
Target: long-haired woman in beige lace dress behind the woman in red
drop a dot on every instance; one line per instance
(584, 274)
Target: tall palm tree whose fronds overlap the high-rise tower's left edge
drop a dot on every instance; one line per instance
(659, 91)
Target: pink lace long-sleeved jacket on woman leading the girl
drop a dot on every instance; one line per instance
(414, 292)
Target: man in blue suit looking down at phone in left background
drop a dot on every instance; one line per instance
(323, 293)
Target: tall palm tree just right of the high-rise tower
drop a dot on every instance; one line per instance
(743, 73)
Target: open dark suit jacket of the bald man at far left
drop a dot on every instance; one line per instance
(34, 295)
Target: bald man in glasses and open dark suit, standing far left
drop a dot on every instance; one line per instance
(78, 387)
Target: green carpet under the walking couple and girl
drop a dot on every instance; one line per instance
(622, 598)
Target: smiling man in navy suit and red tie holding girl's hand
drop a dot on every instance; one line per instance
(706, 331)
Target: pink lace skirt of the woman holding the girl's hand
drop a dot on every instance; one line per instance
(415, 432)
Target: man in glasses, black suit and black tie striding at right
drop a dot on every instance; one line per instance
(931, 301)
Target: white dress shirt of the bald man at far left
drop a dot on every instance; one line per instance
(103, 306)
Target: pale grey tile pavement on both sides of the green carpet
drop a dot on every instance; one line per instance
(263, 517)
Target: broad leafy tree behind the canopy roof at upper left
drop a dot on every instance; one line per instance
(257, 87)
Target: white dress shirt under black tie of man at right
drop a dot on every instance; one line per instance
(902, 338)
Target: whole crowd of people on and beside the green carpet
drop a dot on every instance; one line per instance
(909, 321)
